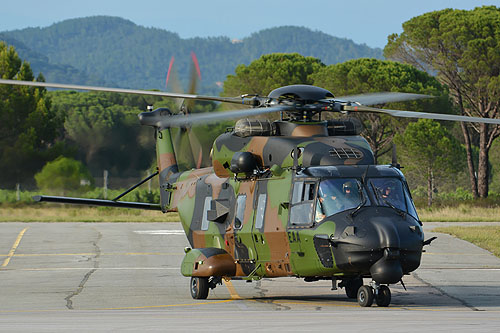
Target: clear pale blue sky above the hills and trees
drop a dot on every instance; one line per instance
(364, 21)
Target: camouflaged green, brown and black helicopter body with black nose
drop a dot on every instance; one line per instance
(272, 220)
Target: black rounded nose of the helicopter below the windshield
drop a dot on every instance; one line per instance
(380, 243)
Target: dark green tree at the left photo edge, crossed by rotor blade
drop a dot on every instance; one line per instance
(28, 126)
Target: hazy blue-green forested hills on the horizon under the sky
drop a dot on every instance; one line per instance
(114, 51)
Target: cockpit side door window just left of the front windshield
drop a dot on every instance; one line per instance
(302, 208)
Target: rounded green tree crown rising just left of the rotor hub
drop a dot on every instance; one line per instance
(269, 72)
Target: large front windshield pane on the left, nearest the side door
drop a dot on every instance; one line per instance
(336, 195)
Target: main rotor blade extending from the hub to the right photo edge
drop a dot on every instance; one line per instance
(414, 114)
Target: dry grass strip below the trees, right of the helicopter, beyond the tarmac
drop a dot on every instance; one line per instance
(460, 213)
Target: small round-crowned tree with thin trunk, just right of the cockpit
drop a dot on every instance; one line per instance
(429, 150)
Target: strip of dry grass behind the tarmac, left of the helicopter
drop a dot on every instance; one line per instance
(56, 213)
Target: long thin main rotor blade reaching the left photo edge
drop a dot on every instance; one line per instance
(236, 100)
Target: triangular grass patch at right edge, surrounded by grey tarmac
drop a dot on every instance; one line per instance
(486, 237)
